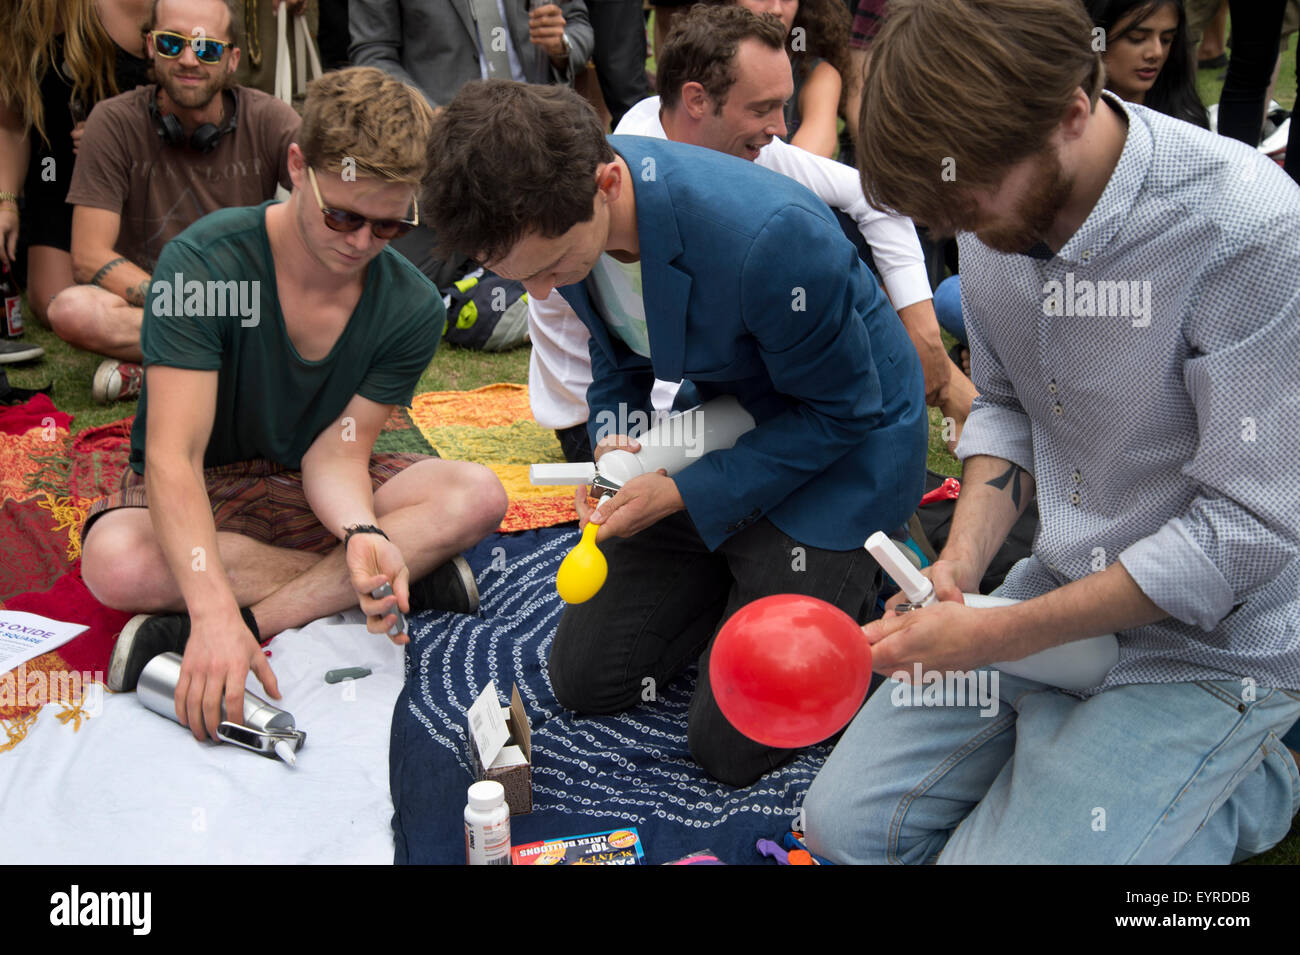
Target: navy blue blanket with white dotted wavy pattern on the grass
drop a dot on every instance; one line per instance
(590, 774)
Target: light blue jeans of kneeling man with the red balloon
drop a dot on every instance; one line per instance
(1145, 774)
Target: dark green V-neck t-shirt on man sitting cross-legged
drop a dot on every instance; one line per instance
(214, 306)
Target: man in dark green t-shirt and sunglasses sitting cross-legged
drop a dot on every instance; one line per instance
(278, 340)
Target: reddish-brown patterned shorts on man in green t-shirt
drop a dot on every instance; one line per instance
(258, 500)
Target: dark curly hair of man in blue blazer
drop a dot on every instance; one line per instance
(512, 160)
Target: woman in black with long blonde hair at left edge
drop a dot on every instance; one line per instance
(58, 59)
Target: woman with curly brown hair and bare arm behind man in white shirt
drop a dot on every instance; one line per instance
(817, 38)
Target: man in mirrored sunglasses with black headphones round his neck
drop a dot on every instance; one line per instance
(153, 162)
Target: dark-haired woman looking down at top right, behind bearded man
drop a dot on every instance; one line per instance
(1149, 58)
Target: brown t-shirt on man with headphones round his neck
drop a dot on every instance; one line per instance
(159, 190)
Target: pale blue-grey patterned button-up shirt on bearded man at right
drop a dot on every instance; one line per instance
(1149, 376)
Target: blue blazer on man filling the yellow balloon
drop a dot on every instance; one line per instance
(752, 290)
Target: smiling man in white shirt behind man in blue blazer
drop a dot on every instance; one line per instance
(738, 108)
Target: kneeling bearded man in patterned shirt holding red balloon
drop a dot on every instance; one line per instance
(1134, 327)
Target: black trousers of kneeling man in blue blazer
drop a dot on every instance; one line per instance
(661, 607)
